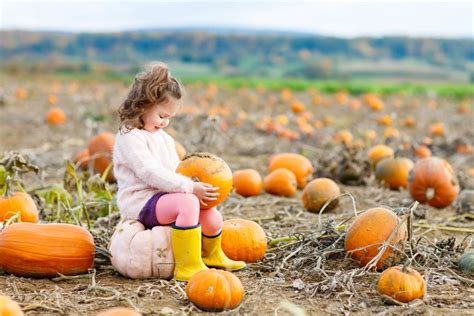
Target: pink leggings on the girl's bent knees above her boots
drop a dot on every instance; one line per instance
(184, 209)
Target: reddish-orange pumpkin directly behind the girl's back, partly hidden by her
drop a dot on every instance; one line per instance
(100, 149)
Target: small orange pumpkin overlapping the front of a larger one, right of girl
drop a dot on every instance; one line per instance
(280, 181)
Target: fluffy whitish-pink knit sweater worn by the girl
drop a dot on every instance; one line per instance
(144, 164)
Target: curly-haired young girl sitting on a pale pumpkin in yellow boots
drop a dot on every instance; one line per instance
(149, 189)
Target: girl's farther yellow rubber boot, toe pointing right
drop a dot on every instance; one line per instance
(213, 256)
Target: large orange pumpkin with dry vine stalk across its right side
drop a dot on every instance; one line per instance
(369, 231)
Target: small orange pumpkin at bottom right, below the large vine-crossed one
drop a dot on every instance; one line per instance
(403, 284)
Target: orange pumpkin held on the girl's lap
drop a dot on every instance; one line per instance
(208, 168)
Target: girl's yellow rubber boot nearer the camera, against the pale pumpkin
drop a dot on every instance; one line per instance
(187, 251)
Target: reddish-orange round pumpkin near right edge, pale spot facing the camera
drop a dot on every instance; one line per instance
(432, 181)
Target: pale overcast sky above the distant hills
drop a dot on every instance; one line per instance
(336, 18)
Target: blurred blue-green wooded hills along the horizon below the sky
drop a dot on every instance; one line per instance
(244, 52)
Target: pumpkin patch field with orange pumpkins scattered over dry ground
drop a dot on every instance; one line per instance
(337, 202)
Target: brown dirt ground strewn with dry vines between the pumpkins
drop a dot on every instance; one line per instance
(289, 280)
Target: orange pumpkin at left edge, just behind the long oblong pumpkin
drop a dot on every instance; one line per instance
(19, 201)
